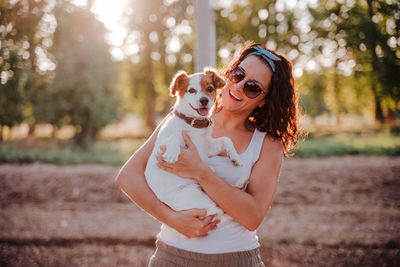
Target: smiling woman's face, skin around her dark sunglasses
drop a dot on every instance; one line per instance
(255, 72)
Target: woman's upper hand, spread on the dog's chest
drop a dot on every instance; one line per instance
(189, 164)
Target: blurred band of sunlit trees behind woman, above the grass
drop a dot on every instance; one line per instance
(56, 67)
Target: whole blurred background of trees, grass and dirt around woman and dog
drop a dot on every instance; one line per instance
(86, 81)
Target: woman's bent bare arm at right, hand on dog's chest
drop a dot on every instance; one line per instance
(247, 208)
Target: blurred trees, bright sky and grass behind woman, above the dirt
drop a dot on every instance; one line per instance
(77, 72)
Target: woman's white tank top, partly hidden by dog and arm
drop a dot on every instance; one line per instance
(230, 236)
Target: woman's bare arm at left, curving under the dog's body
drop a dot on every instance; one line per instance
(133, 183)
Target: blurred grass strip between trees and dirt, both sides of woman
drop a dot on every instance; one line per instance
(116, 152)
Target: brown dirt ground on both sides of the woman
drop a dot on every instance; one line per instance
(327, 212)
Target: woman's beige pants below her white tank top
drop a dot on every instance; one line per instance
(169, 256)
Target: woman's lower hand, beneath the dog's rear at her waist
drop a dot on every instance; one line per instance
(192, 223)
